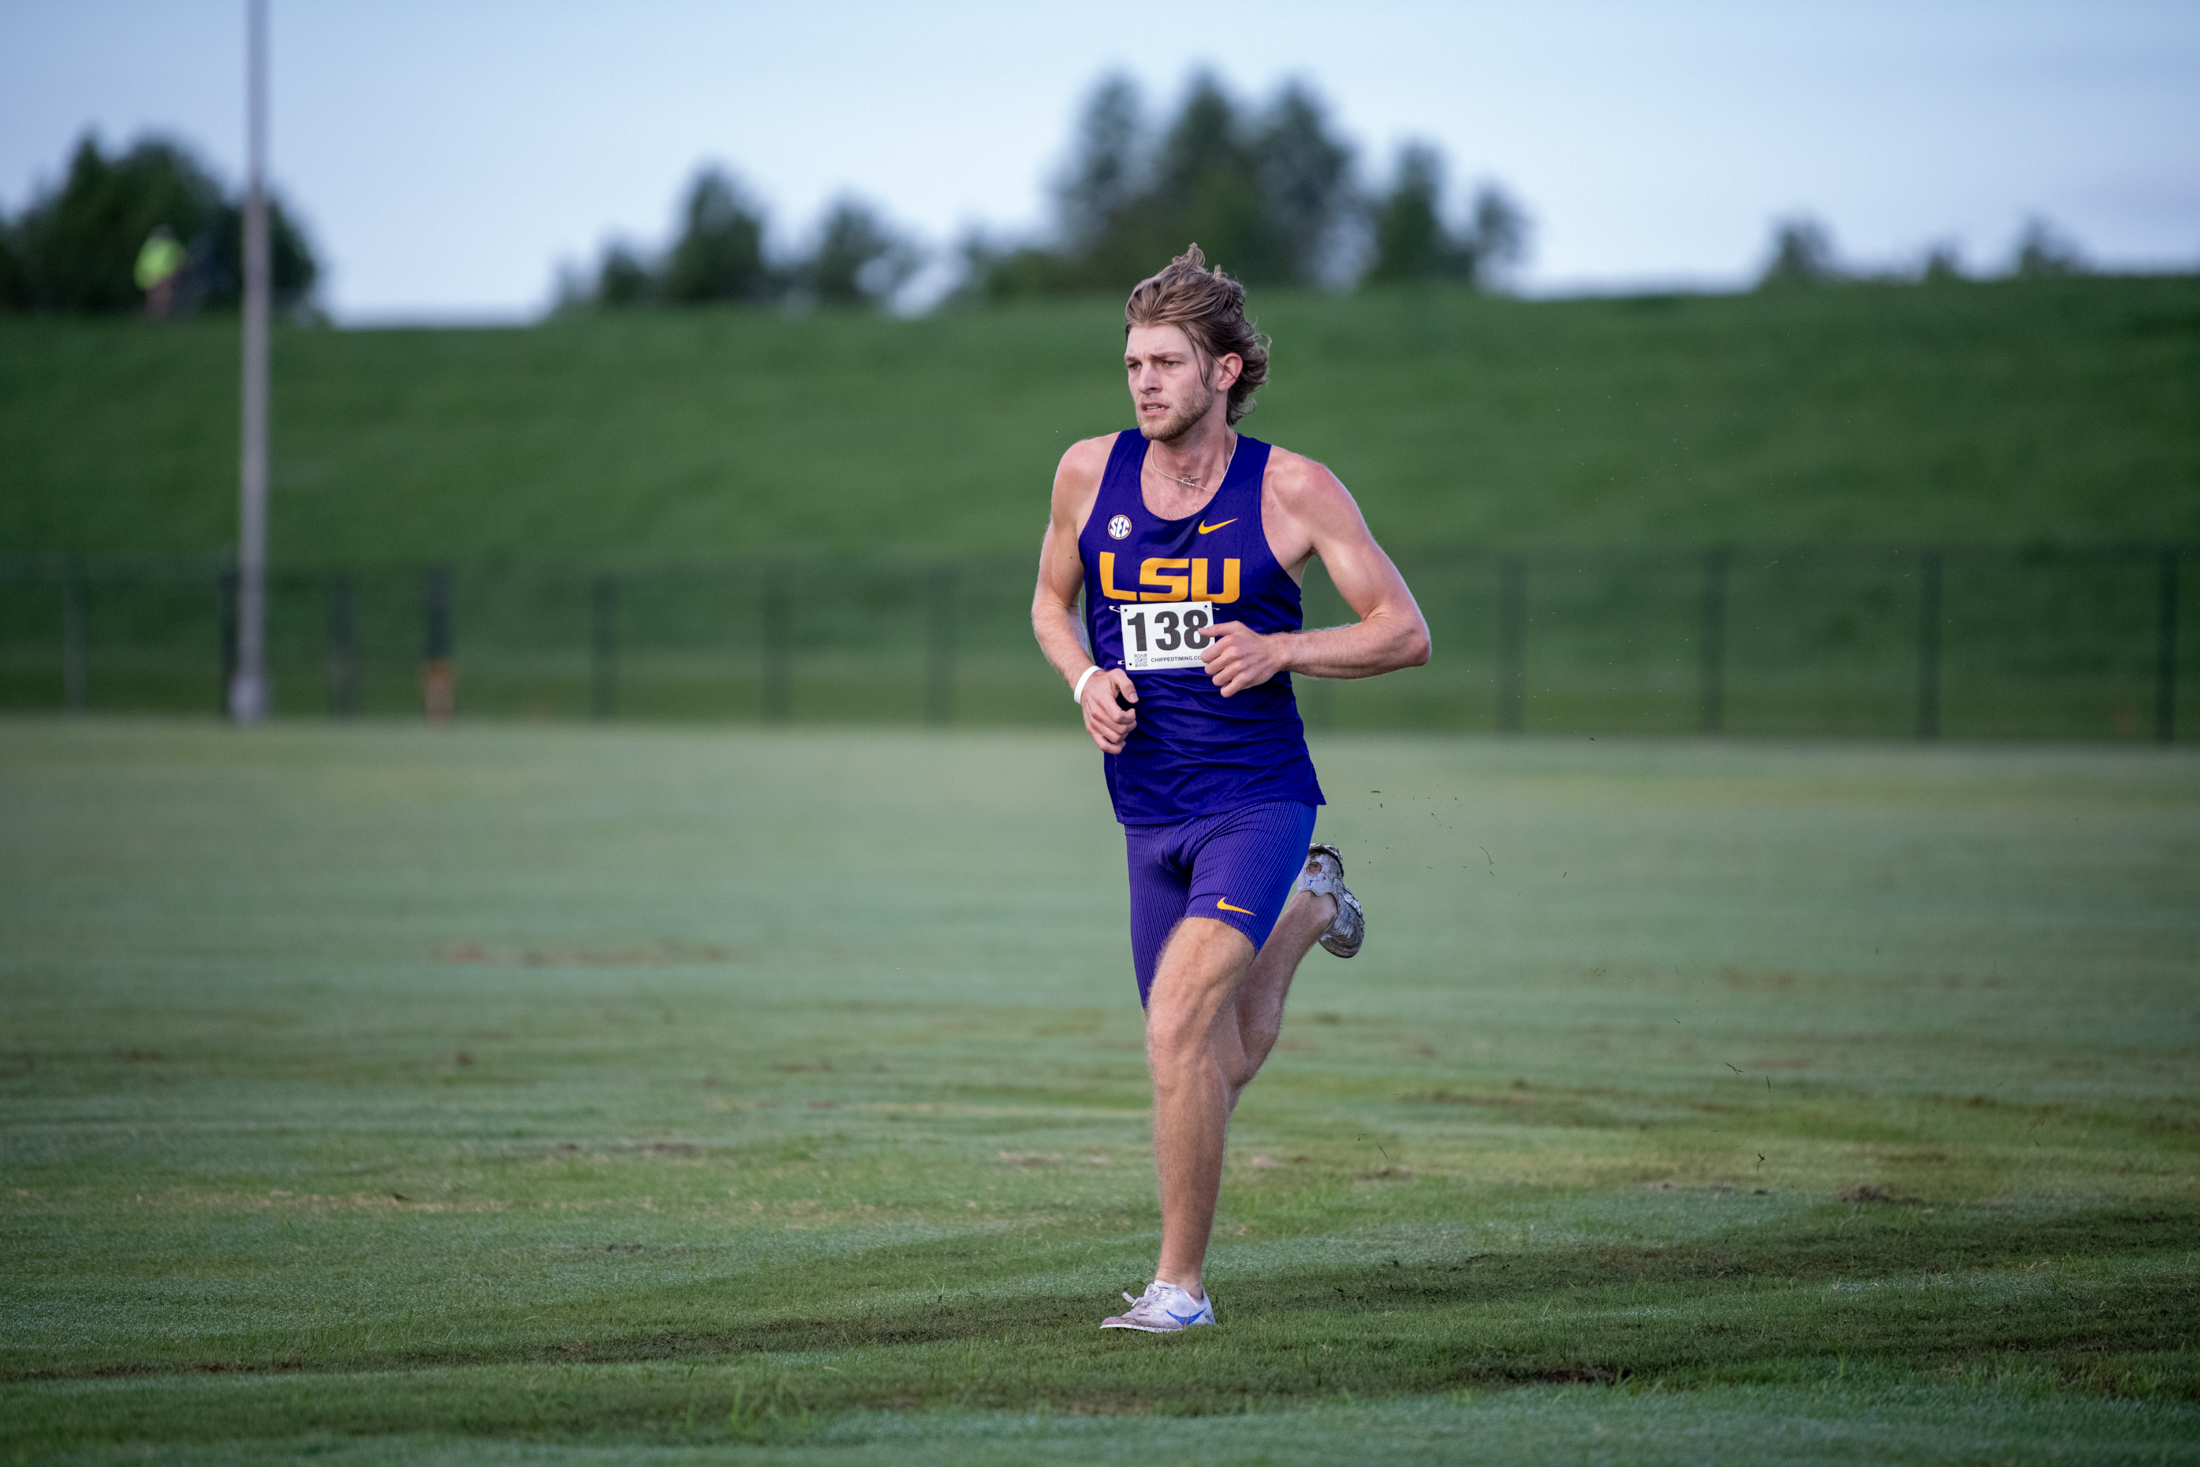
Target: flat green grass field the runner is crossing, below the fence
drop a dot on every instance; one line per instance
(558, 1094)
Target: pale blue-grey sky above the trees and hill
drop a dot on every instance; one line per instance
(450, 157)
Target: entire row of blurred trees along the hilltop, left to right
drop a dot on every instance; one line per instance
(1270, 192)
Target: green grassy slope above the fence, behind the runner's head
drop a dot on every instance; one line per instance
(1999, 412)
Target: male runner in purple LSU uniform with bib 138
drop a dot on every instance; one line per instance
(1191, 542)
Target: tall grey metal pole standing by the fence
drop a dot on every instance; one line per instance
(250, 687)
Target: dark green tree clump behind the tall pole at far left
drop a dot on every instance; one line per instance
(78, 245)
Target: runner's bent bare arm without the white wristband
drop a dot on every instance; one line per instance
(1389, 632)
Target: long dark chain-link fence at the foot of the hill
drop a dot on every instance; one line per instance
(1977, 643)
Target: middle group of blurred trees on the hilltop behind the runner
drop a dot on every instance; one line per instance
(1270, 195)
